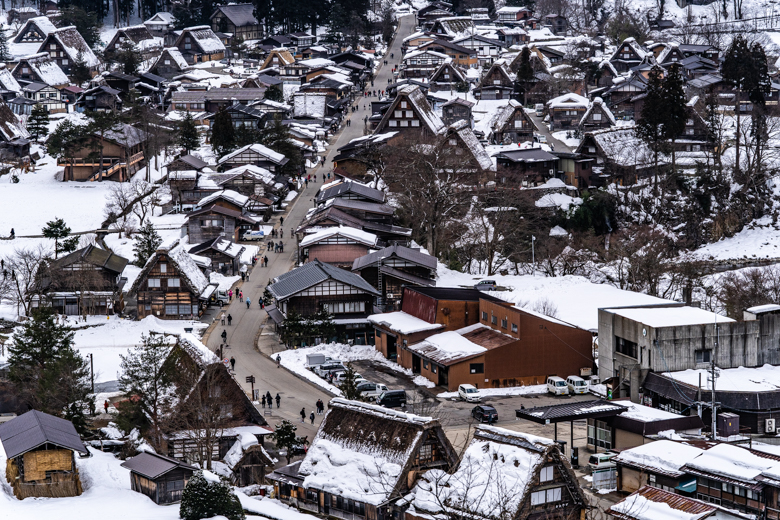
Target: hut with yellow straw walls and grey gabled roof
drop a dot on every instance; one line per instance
(40, 450)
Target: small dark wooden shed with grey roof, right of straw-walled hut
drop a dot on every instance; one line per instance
(160, 478)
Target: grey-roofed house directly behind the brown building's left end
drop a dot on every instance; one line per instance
(392, 268)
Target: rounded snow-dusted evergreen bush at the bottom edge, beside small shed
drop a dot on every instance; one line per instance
(206, 499)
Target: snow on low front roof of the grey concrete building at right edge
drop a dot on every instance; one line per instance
(740, 379)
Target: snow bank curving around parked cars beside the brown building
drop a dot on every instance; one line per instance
(295, 361)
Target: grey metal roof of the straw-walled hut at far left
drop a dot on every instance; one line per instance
(34, 429)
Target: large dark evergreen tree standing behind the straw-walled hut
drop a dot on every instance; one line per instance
(48, 373)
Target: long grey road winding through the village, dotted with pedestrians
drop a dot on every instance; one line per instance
(251, 325)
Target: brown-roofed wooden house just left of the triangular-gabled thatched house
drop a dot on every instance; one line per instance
(85, 282)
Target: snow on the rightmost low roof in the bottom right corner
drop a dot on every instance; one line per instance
(731, 461)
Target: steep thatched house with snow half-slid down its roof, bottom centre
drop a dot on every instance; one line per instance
(362, 459)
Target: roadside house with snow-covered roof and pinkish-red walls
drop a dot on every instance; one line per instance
(338, 246)
